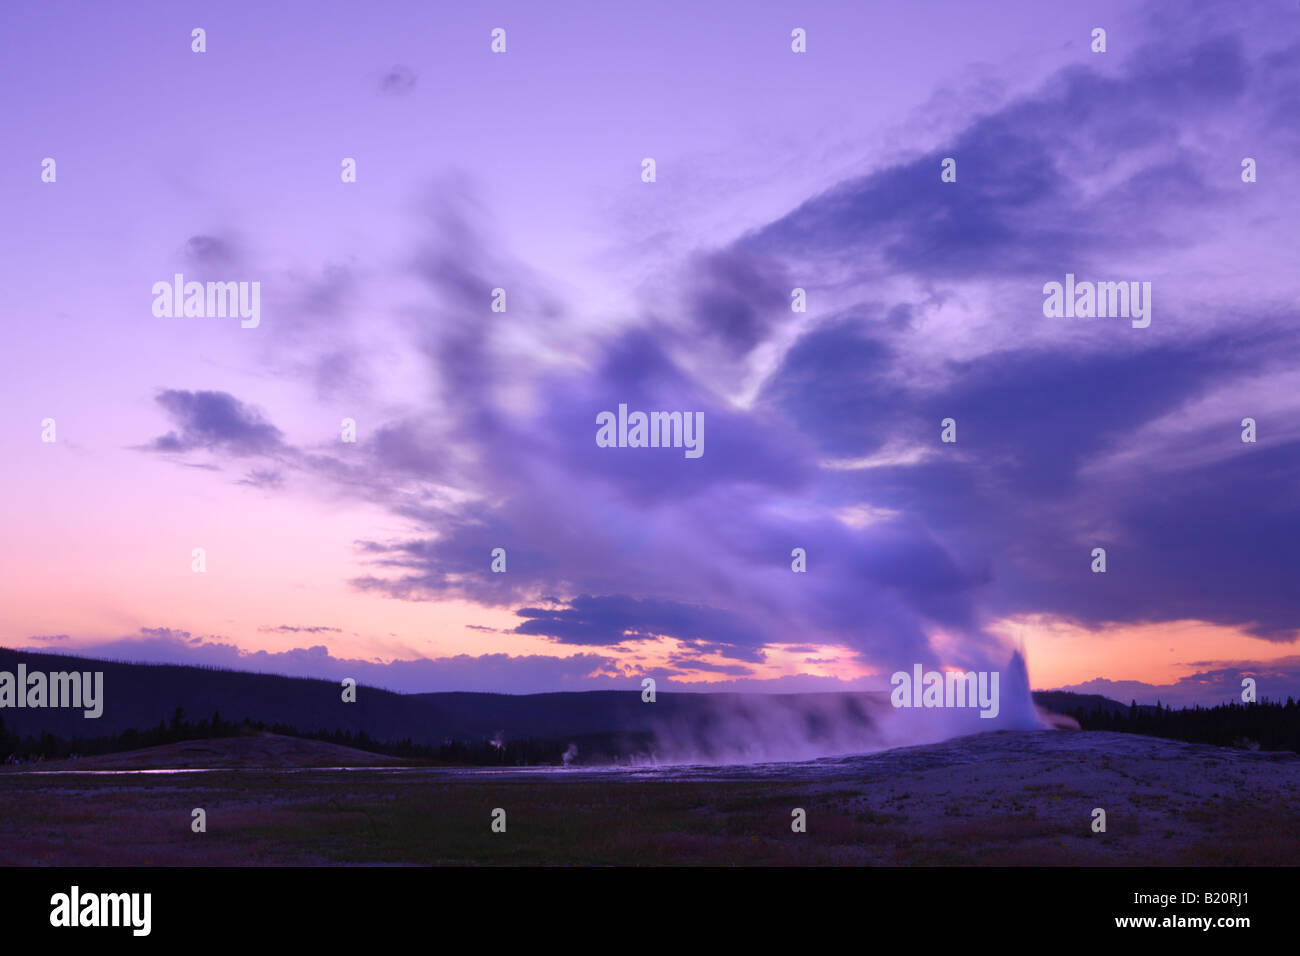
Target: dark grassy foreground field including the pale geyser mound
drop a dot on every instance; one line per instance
(999, 799)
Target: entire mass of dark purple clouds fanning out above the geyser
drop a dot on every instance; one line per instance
(644, 543)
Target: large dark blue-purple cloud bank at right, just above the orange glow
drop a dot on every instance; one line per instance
(1015, 495)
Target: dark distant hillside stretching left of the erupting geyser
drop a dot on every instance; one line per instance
(140, 697)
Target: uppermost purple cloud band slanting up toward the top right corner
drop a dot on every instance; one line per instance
(1017, 207)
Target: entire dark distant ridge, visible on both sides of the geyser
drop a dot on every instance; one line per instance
(146, 706)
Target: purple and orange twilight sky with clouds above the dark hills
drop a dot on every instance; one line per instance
(476, 429)
